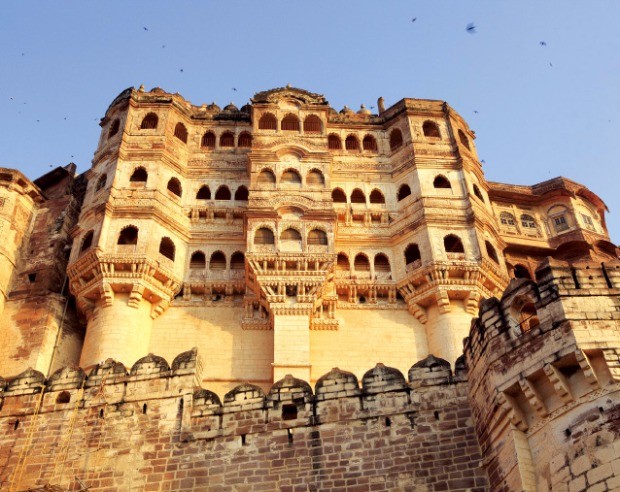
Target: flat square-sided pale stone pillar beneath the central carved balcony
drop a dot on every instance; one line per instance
(291, 346)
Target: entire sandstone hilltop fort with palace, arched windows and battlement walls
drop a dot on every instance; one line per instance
(288, 297)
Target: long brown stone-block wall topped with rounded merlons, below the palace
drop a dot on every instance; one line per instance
(152, 425)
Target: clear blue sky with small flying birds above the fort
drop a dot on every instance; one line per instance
(538, 111)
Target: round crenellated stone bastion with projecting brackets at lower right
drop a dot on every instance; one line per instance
(544, 376)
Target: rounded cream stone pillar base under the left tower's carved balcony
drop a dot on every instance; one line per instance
(119, 330)
